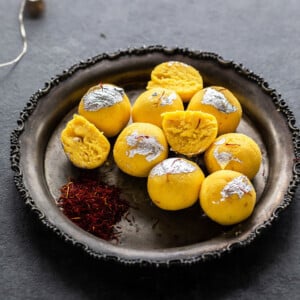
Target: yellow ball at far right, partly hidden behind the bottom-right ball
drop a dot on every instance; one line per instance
(234, 151)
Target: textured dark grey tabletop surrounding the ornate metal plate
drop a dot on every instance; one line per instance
(262, 35)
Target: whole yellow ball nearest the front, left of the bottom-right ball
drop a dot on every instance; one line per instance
(174, 184)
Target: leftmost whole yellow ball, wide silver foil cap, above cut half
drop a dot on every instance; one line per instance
(107, 107)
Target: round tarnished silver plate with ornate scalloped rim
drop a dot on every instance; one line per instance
(148, 234)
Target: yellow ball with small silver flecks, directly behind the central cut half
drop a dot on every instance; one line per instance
(149, 106)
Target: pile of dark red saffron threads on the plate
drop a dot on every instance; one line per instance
(93, 205)
